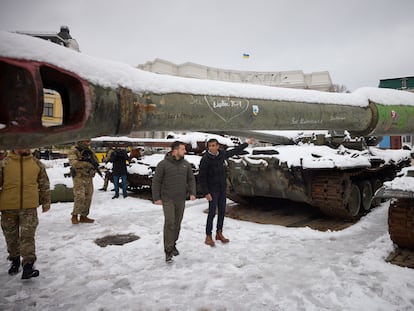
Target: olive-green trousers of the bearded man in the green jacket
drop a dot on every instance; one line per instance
(173, 215)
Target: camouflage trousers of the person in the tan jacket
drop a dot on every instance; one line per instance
(19, 227)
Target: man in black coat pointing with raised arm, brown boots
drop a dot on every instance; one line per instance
(213, 183)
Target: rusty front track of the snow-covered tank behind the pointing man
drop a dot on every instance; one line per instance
(330, 193)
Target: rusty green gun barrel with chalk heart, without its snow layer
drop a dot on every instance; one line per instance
(91, 109)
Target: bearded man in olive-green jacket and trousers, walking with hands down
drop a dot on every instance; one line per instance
(173, 176)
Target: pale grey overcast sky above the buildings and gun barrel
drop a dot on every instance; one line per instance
(358, 41)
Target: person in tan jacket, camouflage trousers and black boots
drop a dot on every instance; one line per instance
(24, 185)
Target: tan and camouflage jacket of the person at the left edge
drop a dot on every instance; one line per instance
(23, 182)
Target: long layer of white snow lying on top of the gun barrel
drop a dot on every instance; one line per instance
(113, 74)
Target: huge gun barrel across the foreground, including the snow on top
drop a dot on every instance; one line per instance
(106, 98)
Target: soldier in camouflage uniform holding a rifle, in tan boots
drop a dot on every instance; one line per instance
(82, 160)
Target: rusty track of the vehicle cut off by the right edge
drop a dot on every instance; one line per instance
(401, 222)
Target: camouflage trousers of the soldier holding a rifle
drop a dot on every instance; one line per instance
(82, 195)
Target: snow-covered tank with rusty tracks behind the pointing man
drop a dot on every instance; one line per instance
(332, 172)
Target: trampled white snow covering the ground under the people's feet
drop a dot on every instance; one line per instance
(264, 267)
